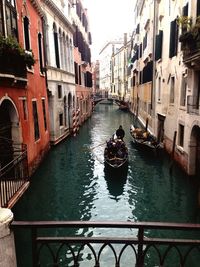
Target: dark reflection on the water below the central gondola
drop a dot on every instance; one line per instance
(116, 180)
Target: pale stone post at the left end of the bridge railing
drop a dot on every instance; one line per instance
(7, 244)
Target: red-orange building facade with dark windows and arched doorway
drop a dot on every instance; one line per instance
(24, 115)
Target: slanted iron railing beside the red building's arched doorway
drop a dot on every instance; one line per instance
(13, 175)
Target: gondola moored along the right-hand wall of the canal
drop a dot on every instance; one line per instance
(142, 139)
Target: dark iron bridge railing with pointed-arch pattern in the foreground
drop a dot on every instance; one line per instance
(140, 240)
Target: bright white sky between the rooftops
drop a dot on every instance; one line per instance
(108, 20)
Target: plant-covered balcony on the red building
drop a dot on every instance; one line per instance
(13, 71)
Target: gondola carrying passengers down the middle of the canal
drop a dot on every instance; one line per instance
(116, 153)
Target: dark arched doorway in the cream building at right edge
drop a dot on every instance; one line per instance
(194, 152)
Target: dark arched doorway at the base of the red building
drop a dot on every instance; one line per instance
(9, 131)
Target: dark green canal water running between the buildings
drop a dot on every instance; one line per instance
(72, 184)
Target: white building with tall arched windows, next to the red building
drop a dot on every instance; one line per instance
(60, 67)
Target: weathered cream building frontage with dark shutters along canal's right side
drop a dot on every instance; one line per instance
(166, 76)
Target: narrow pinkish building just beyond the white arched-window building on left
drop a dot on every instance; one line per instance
(82, 65)
